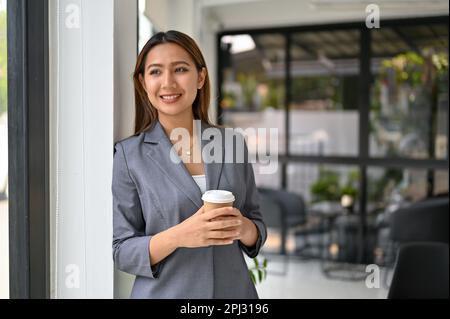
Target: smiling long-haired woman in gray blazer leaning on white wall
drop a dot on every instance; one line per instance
(161, 232)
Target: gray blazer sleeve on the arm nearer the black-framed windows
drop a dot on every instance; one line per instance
(251, 208)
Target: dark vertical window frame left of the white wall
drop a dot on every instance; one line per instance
(28, 150)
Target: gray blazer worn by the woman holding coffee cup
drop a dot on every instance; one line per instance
(151, 194)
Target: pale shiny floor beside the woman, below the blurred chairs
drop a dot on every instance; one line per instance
(304, 278)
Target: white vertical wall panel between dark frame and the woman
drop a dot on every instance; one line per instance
(81, 130)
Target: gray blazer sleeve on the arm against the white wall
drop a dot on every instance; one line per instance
(130, 243)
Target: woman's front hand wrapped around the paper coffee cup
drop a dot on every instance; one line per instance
(204, 229)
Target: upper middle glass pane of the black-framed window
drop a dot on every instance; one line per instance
(324, 109)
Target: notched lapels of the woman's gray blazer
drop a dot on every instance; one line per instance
(178, 174)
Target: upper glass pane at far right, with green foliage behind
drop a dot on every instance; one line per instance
(409, 103)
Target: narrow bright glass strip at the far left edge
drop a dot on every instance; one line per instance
(4, 233)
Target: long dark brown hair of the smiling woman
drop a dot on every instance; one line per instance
(146, 113)
